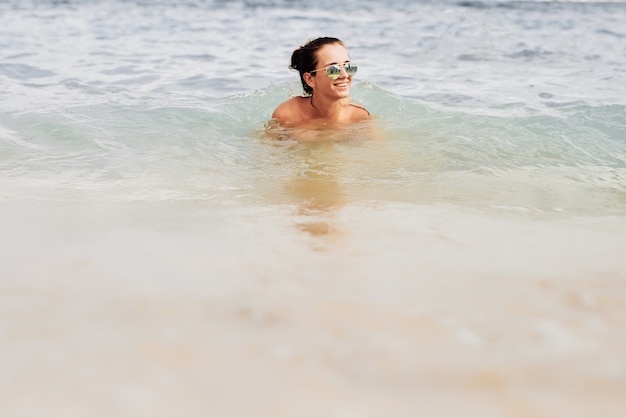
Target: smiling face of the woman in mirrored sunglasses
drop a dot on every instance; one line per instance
(319, 80)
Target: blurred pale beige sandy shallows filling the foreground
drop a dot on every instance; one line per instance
(161, 309)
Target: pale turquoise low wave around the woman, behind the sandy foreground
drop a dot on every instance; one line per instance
(214, 148)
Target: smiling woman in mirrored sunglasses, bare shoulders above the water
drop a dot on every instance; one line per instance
(326, 75)
